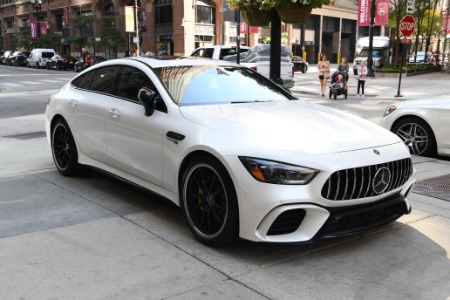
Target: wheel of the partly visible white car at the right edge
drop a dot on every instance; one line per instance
(417, 135)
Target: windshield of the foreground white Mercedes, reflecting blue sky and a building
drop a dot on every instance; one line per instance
(202, 85)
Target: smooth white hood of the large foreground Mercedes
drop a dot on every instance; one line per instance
(295, 126)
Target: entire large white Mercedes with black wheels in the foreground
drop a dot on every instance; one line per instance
(239, 154)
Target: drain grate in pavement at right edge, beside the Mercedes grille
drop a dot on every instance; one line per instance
(436, 187)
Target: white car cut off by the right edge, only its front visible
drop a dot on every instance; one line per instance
(423, 125)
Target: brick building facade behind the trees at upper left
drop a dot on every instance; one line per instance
(171, 27)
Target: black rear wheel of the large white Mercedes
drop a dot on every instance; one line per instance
(64, 150)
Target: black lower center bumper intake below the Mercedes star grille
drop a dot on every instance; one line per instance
(362, 218)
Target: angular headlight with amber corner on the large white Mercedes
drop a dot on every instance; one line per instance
(277, 172)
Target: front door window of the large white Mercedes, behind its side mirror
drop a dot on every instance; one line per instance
(130, 81)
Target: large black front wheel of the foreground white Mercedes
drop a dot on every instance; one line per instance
(209, 202)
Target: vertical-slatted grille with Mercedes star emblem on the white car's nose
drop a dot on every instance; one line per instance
(367, 181)
